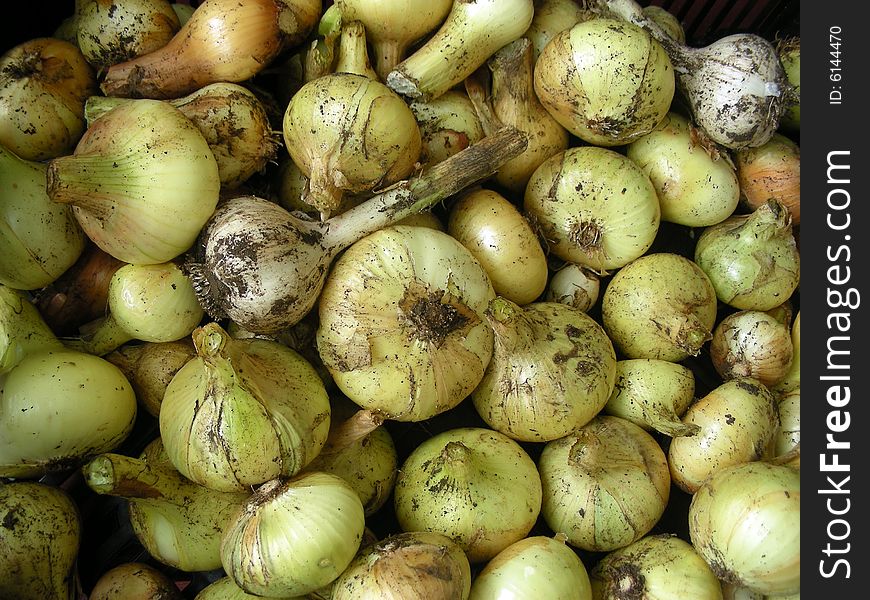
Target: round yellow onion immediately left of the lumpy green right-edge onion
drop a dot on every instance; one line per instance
(660, 306)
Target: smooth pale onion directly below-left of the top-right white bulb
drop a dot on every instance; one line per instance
(697, 186)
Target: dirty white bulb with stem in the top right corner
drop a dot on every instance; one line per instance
(736, 87)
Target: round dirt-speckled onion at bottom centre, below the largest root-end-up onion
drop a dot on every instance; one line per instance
(489, 482)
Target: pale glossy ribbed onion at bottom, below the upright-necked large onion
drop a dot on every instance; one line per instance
(293, 536)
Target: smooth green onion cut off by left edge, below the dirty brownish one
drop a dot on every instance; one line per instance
(39, 239)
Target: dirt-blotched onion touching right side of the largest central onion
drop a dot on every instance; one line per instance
(552, 370)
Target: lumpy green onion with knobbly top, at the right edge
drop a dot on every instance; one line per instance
(752, 260)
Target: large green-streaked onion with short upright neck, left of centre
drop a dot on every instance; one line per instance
(243, 412)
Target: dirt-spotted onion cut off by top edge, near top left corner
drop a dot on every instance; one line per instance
(108, 33)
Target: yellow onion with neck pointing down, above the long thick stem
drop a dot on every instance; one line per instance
(347, 132)
